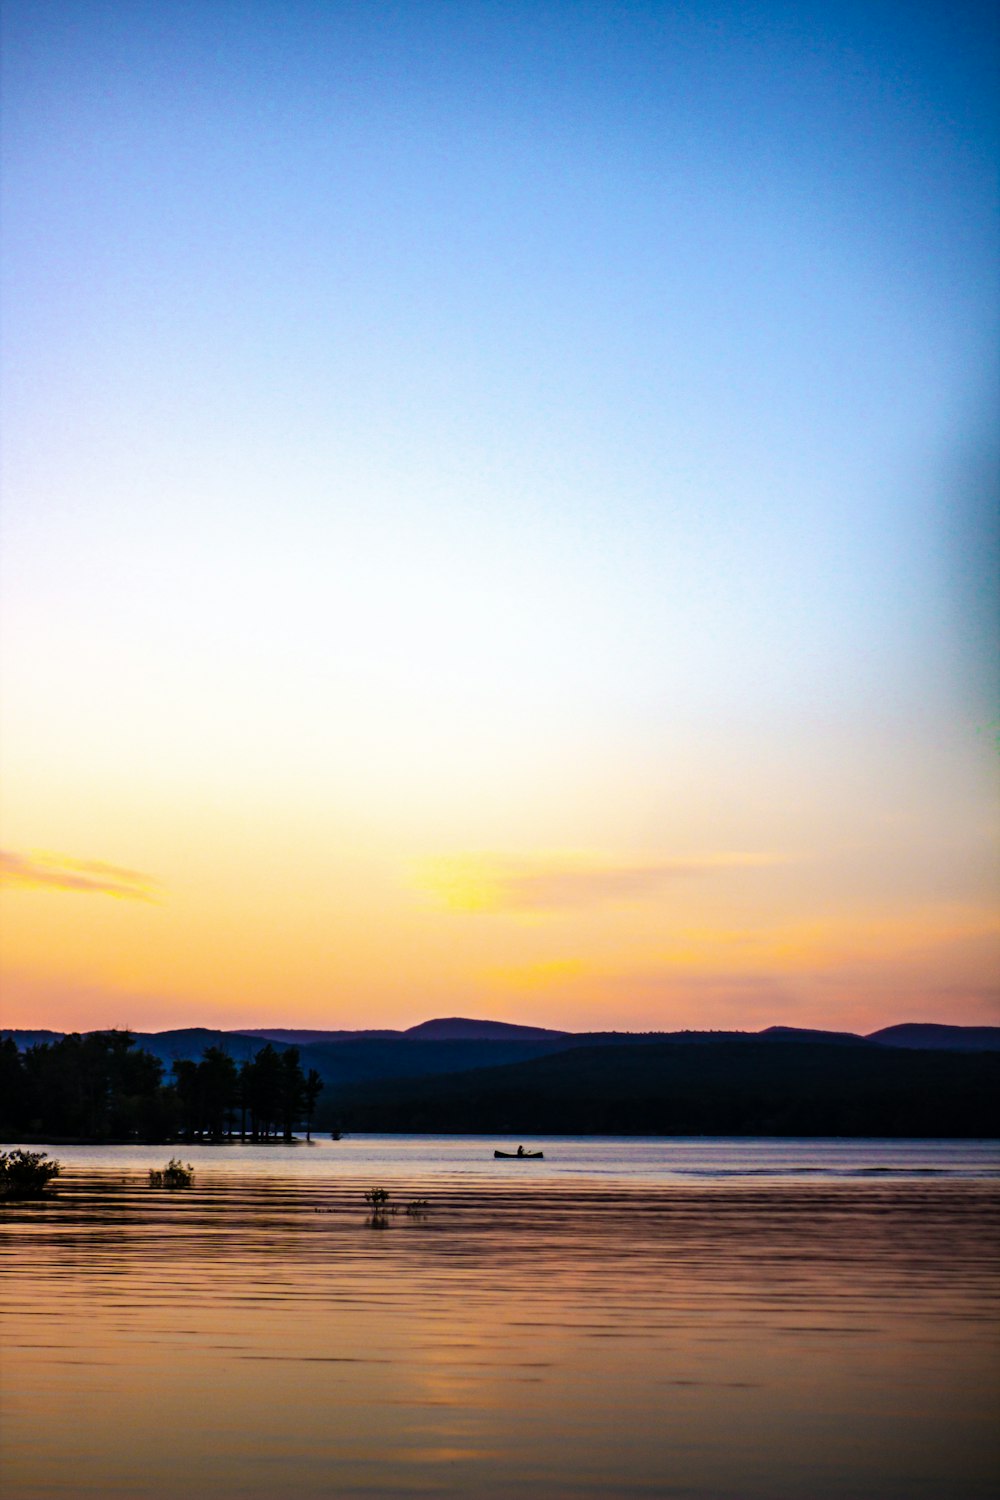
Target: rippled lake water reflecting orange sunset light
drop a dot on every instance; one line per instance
(759, 1321)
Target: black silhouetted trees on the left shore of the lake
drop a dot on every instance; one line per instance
(101, 1087)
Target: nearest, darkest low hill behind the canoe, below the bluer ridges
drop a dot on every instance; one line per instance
(735, 1088)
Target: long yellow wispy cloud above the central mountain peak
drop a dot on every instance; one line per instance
(487, 883)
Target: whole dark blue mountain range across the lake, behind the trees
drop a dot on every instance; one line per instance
(473, 1076)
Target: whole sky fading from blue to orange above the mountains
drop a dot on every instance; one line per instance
(500, 514)
